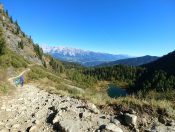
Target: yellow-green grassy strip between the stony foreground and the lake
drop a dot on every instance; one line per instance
(55, 83)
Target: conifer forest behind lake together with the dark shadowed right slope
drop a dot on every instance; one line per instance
(158, 75)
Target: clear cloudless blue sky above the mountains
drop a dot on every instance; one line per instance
(134, 27)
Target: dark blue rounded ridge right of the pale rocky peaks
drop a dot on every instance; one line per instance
(132, 61)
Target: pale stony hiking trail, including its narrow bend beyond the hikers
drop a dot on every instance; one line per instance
(35, 110)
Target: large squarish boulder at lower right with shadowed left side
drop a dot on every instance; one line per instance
(130, 119)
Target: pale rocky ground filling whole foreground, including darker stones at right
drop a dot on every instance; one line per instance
(34, 110)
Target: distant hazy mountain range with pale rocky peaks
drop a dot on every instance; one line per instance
(86, 58)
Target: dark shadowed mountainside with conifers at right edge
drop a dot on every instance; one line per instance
(159, 75)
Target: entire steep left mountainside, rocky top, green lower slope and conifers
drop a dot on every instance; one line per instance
(19, 48)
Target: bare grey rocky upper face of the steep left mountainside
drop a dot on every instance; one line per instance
(16, 40)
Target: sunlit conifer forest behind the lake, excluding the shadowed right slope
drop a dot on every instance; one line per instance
(126, 74)
